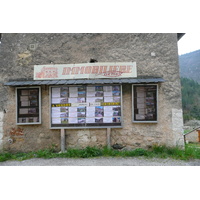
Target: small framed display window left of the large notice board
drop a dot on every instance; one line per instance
(28, 105)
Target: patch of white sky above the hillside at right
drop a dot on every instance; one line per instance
(188, 43)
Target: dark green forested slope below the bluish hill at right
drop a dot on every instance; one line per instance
(190, 99)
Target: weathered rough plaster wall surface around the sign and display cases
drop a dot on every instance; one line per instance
(18, 56)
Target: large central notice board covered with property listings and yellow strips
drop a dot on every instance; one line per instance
(92, 106)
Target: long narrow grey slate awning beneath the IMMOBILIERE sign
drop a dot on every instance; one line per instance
(138, 80)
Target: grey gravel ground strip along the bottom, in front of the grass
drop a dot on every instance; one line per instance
(102, 161)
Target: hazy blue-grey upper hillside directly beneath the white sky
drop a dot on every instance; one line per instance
(190, 65)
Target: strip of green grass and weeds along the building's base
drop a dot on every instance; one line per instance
(191, 151)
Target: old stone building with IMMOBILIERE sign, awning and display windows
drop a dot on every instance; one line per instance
(138, 110)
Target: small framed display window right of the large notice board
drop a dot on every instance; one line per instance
(144, 103)
